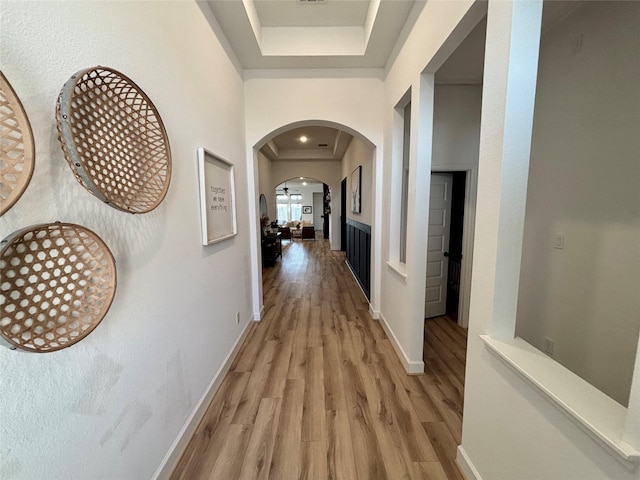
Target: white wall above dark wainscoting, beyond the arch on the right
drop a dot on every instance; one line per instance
(359, 154)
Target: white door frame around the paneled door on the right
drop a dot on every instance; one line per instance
(471, 190)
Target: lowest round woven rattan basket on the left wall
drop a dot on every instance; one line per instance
(57, 283)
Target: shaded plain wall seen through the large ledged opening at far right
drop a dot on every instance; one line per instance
(584, 183)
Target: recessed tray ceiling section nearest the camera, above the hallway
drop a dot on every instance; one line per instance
(299, 34)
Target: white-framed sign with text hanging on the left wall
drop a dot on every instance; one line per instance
(217, 197)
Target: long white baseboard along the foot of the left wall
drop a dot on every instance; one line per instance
(176, 450)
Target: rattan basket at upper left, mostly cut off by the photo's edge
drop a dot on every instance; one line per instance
(17, 150)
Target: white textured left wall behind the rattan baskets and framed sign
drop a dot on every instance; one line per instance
(111, 406)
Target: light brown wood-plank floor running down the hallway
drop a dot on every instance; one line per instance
(317, 390)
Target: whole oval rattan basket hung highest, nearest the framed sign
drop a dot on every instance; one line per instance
(114, 140)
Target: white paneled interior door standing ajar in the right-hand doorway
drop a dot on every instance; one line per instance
(435, 303)
